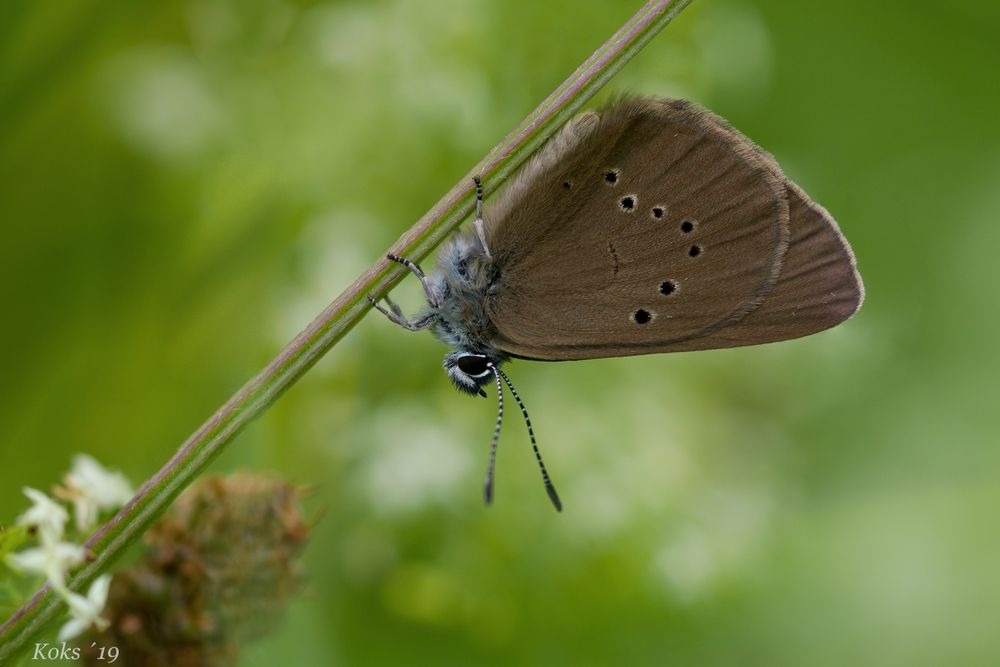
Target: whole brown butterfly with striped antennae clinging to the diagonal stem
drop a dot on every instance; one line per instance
(649, 226)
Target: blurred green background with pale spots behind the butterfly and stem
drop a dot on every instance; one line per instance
(184, 185)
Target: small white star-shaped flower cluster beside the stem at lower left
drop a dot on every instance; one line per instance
(91, 489)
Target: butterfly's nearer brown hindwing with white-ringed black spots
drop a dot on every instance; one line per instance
(648, 228)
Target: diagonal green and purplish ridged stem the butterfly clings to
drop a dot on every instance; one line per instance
(337, 319)
